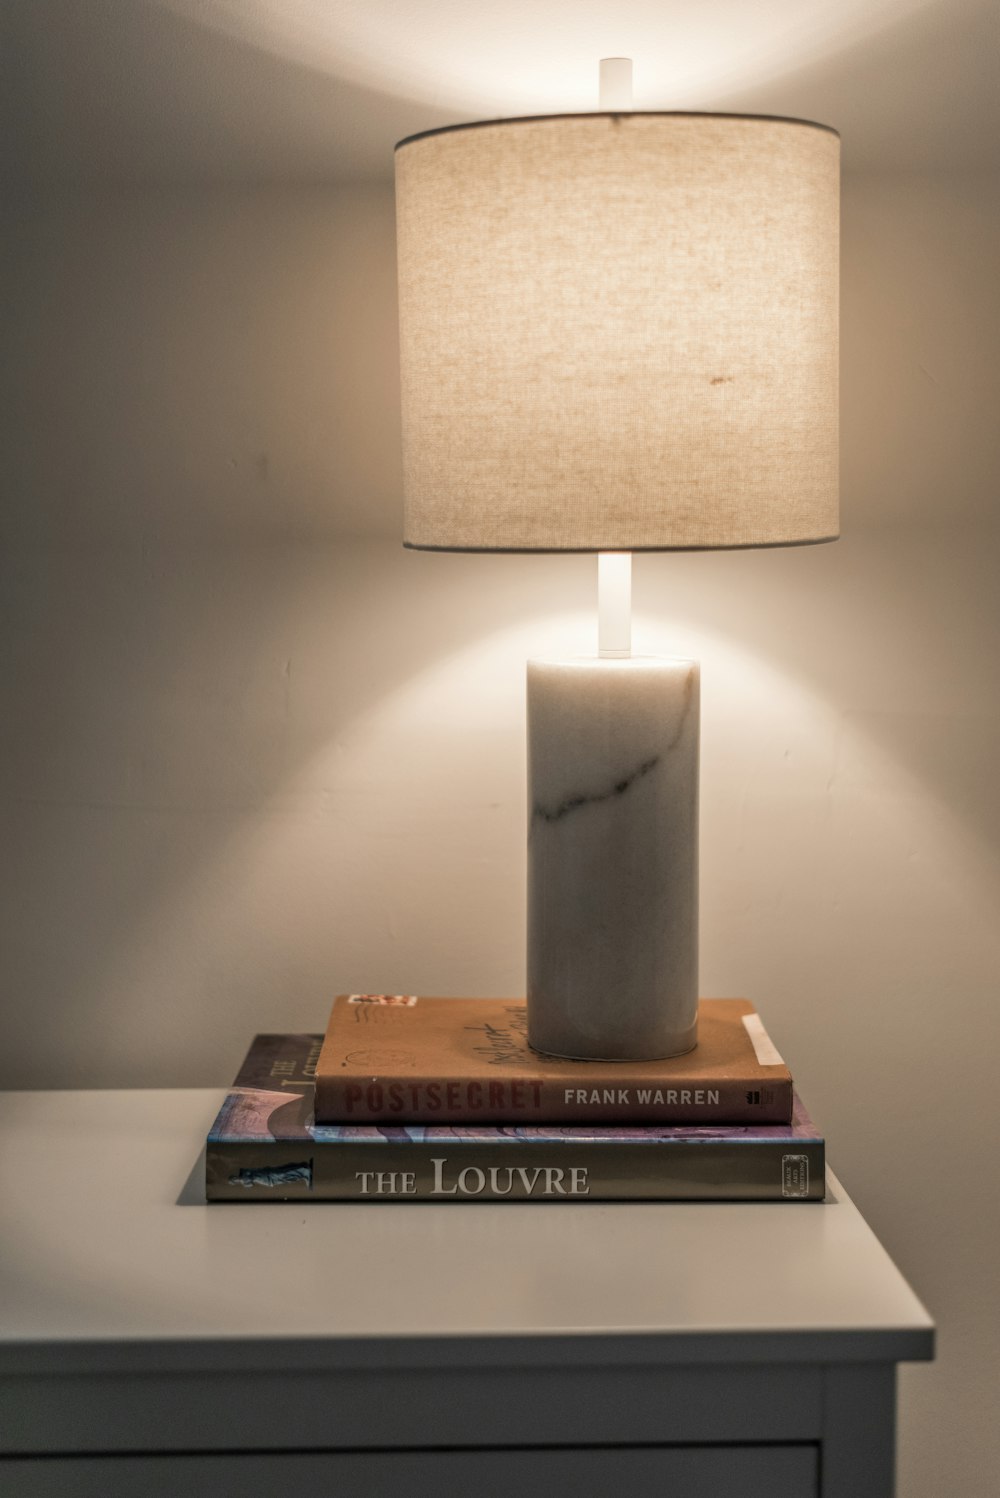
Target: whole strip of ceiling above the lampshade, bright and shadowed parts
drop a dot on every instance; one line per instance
(179, 92)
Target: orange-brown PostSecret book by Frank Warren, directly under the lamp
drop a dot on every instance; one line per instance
(397, 1058)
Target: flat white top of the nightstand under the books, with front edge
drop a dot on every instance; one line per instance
(112, 1259)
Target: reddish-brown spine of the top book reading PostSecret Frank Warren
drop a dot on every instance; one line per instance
(513, 1100)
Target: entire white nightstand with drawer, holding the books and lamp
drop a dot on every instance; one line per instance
(155, 1346)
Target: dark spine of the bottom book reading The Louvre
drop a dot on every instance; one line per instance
(754, 1171)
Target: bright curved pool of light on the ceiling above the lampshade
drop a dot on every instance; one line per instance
(543, 55)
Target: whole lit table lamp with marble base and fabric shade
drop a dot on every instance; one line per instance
(618, 333)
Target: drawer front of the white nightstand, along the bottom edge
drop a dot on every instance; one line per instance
(650, 1472)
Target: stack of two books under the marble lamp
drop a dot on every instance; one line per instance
(442, 1100)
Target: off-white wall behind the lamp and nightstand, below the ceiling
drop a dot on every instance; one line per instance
(254, 754)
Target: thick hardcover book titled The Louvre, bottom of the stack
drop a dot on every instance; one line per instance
(267, 1147)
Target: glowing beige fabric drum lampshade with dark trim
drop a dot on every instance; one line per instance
(619, 333)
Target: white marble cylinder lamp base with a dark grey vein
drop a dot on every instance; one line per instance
(613, 858)
